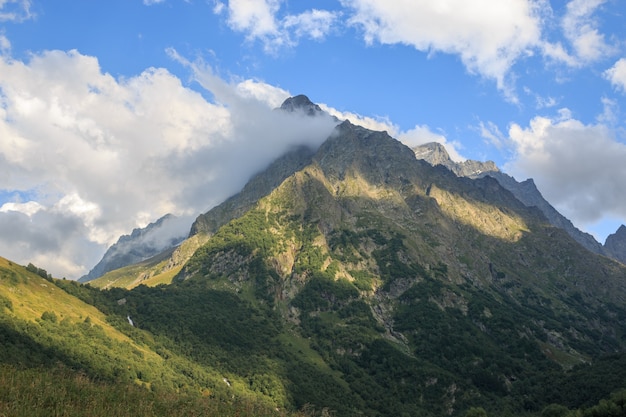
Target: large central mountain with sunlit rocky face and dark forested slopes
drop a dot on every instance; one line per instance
(406, 278)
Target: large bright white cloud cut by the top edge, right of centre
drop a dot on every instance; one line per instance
(488, 36)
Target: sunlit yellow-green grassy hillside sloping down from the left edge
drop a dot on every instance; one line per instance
(46, 335)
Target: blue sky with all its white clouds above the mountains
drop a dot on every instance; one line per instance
(114, 113)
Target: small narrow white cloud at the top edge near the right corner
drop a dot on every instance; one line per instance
(581, 30)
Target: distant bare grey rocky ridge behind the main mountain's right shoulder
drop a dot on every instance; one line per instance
(525, 191)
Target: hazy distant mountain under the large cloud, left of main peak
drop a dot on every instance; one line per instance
(141, 244)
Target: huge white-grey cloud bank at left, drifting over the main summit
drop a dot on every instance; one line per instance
(101, 155)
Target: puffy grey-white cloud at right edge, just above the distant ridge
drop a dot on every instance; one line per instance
(578, 167)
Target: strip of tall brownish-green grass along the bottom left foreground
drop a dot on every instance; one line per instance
(43, 392)
